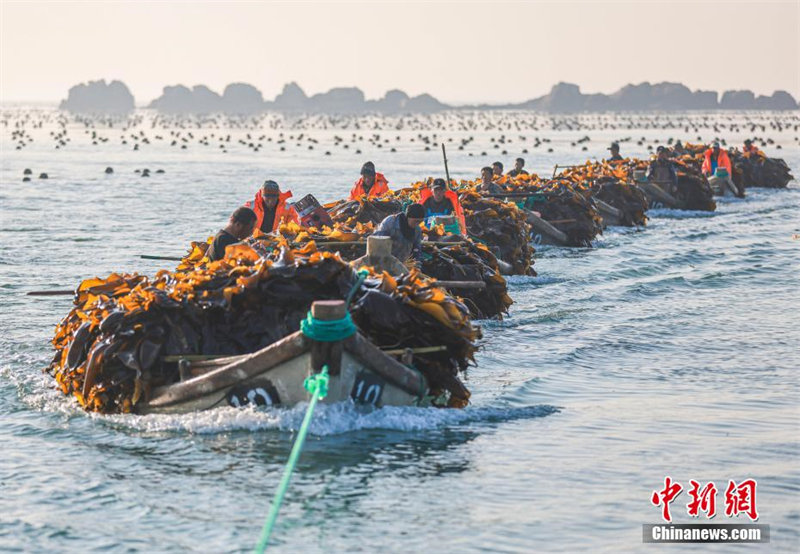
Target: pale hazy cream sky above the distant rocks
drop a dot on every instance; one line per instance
(458, 51)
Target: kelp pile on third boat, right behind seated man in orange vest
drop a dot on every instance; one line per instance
(502, 227)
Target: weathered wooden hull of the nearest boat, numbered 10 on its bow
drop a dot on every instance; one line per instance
(274, 376)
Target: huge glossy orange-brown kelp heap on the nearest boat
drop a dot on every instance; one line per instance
(110, 348)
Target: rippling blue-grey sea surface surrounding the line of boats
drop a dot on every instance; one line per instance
(668, 350)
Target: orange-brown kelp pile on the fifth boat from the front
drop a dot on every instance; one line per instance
(610, 183)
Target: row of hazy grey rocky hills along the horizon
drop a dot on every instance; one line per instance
(244, 99)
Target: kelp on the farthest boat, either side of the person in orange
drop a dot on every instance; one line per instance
(749, 169)
